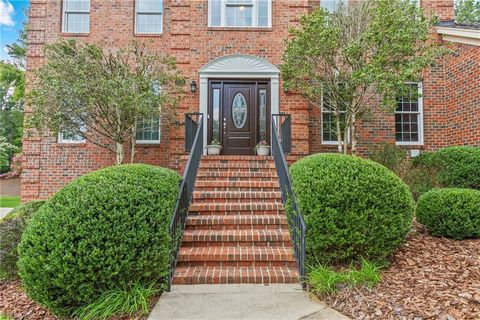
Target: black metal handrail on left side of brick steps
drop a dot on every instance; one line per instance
(195, 147)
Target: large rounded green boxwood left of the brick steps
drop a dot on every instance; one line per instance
(103, 231)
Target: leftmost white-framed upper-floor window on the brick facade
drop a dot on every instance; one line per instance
(76, 16)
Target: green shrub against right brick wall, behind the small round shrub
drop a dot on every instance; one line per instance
(456, 167)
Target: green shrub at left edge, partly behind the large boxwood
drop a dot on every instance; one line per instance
(11, 230)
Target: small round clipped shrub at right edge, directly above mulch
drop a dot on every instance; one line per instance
(450, 212)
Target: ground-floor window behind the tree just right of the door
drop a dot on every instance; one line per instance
(329, 121)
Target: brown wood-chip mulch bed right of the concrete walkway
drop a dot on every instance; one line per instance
(429, 278)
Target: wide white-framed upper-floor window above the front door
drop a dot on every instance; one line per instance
(240, 13)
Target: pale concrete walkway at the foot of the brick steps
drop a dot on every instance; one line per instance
(225, 302)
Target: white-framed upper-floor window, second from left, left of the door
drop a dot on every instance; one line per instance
(149, 16)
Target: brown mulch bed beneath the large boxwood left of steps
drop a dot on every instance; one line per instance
(15, 303)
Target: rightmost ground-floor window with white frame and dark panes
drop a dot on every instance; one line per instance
(409, 117)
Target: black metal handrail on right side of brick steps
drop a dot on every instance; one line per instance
(281, 141)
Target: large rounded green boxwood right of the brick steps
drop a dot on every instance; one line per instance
(352, 207)
